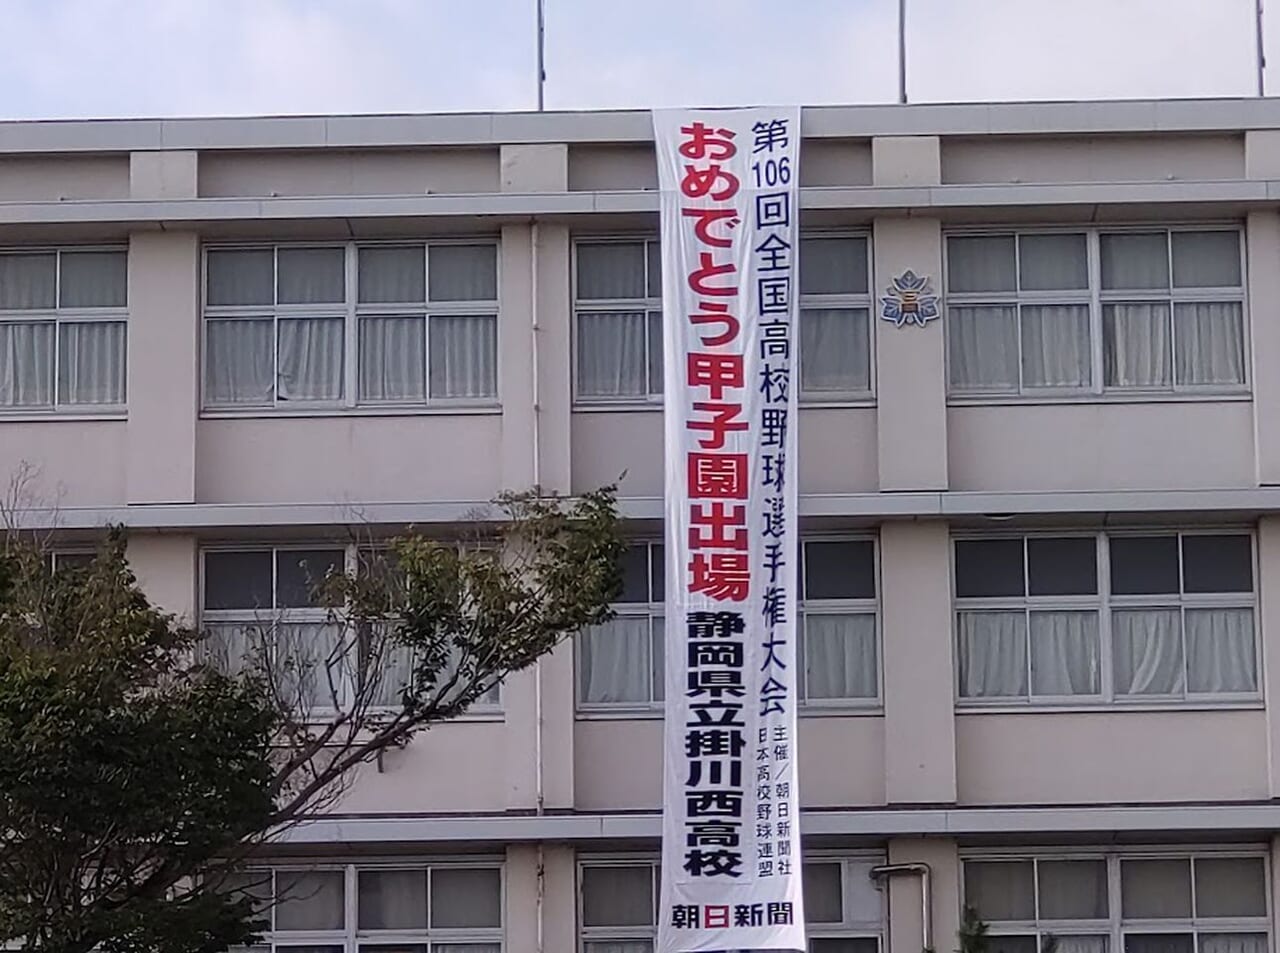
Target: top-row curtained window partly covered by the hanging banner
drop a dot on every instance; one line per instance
(619, 320)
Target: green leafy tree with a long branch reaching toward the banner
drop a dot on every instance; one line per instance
(141, 764)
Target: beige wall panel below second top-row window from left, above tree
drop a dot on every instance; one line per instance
(335, 460)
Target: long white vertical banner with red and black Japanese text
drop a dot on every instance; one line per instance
(732, 819)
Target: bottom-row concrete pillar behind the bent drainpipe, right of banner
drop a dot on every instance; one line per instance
(906, 909)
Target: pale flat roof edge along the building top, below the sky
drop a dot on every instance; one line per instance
(478, 130)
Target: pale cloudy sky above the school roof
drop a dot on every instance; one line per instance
(170, 58)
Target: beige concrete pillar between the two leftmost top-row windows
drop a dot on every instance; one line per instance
(164, 366)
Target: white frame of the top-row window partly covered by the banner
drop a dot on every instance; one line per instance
(650, 305)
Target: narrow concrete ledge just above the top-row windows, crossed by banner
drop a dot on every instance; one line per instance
(191, 213)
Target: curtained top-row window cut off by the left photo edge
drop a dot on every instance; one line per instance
(63, 318)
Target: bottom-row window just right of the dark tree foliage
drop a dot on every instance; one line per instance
(438, 909)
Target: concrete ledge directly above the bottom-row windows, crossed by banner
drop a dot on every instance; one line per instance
(943, 822)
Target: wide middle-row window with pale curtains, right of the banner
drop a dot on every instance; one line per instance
(1130, 618)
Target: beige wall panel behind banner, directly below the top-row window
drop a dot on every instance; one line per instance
(838, 451)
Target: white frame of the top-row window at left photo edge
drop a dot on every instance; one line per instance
(61, 317)
